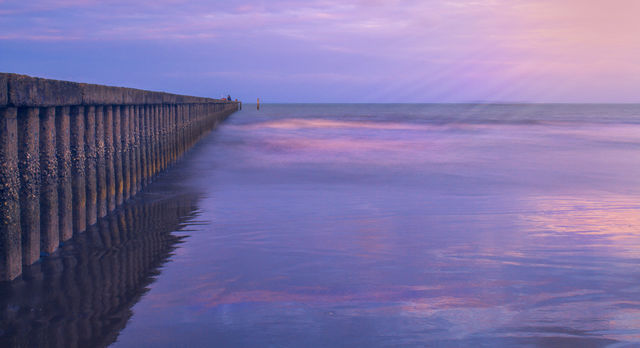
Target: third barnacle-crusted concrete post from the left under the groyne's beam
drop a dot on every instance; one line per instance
(49, 233)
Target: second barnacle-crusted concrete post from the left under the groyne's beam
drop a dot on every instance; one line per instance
(29, 167)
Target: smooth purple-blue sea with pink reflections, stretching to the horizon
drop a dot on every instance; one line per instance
(366, 226)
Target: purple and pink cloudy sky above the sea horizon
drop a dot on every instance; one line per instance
(334, 50)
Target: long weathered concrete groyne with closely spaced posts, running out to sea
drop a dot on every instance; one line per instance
(70, 153)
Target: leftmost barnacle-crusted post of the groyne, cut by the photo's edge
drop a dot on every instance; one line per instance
(10, 238)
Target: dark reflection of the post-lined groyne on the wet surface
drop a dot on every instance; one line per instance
(82, 297)
